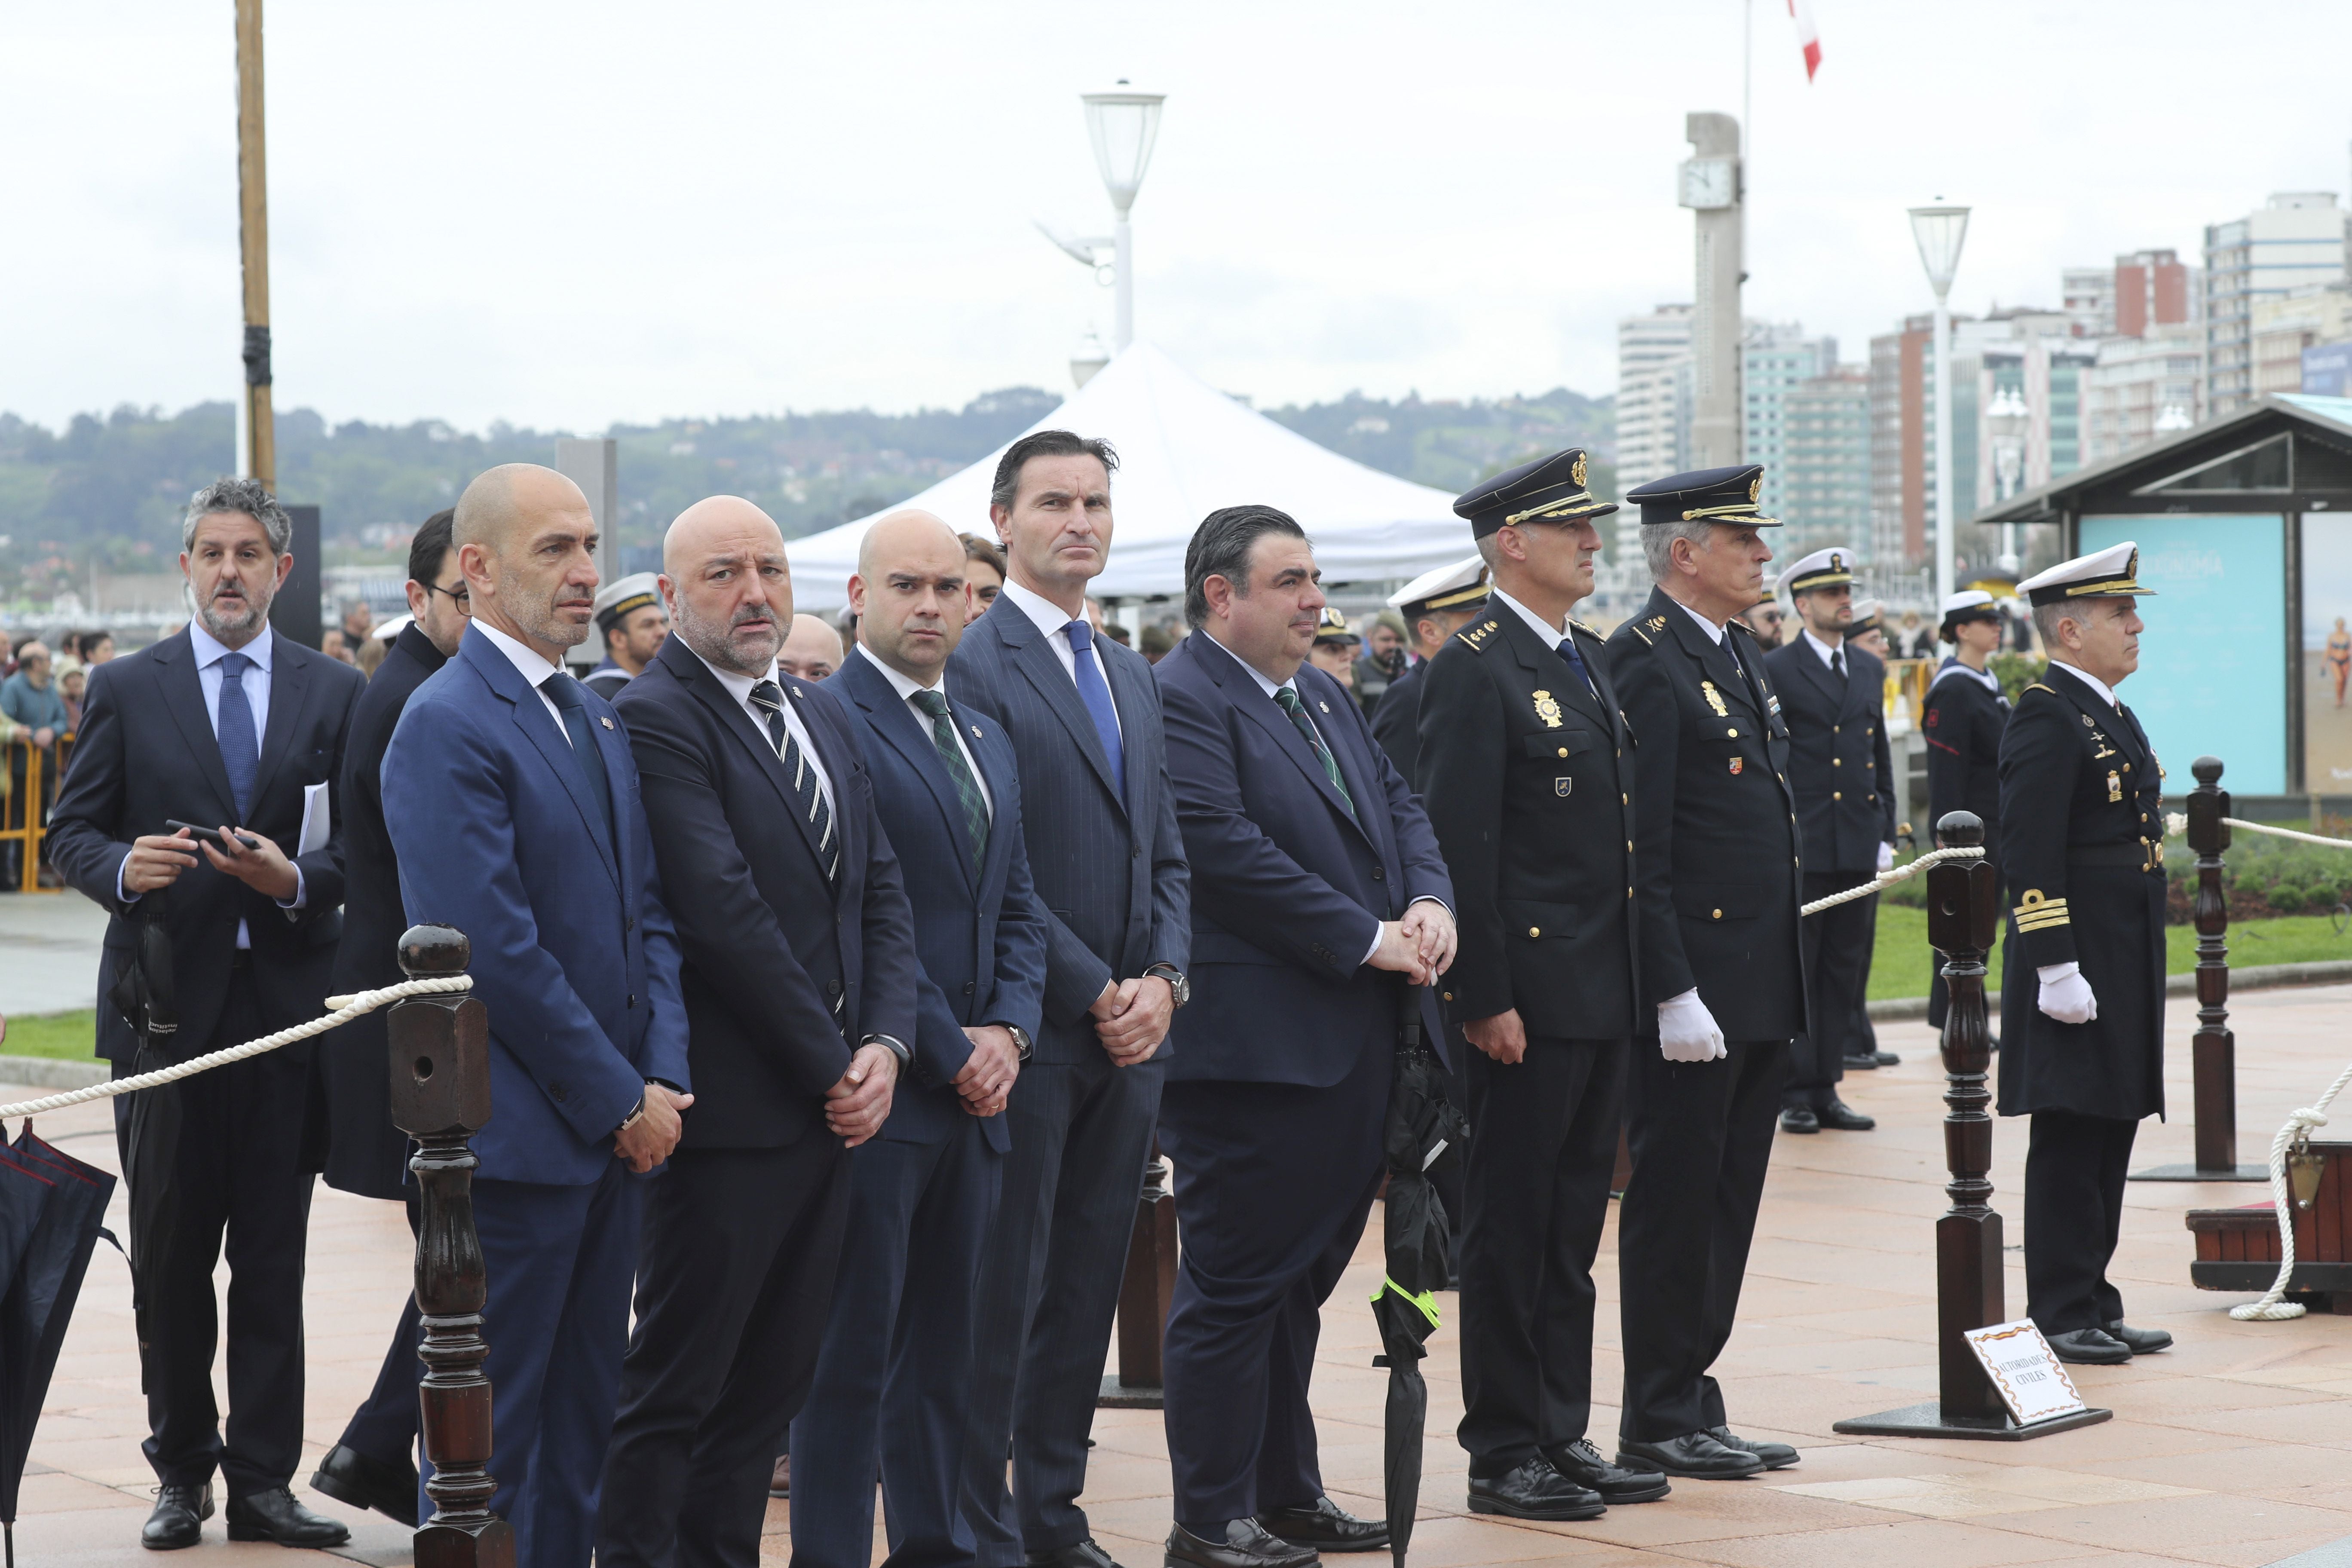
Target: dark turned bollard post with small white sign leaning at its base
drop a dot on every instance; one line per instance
(1970, 1285)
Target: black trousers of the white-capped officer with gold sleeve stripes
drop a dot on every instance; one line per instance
(2073, 1212)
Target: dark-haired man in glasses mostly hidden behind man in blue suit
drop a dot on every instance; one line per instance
(366, 1153)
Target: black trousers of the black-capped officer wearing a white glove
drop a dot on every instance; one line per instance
(1702, 1141)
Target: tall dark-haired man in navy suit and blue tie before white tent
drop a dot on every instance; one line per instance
(1109, 866)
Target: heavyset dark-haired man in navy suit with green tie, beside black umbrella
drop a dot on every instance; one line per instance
(1316, 885)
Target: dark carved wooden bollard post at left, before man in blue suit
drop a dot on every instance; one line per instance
(441, 1099)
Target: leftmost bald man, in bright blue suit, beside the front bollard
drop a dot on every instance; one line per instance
(514, 810)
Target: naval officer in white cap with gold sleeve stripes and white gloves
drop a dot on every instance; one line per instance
(2083, 974)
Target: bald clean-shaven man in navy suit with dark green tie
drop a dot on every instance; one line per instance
(895, 1374)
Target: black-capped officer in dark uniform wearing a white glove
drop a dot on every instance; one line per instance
(1723, 984)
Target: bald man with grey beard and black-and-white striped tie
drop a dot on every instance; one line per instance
(801, 996)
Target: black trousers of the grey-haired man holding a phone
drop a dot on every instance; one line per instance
(241, 1179)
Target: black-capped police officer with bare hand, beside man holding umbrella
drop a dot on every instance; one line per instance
(1528, 779)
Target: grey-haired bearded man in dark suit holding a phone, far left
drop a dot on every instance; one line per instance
(241, 730)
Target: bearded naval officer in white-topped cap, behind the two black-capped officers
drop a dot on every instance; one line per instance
(1838, 763)
